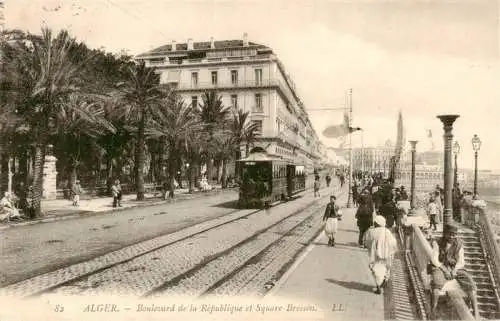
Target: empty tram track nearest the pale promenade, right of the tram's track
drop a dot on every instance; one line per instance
(277, 247)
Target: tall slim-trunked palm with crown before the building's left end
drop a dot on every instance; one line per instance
(141, 94)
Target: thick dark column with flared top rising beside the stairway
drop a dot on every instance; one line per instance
(447, 121)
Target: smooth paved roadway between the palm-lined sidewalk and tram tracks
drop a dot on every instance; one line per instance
(31, 250)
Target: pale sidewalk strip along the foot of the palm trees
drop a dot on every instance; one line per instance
(61, 209)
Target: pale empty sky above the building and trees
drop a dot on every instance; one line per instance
(423, 58)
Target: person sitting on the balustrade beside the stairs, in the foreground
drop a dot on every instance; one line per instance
(447, 269)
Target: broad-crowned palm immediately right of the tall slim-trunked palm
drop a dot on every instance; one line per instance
(177, 125)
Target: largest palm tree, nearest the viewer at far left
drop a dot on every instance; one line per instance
(47, 76)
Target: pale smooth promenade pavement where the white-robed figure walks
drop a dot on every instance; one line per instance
(335, 280)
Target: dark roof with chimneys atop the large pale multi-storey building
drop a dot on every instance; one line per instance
(201, 46)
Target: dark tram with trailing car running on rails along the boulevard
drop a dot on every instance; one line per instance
(267, 179)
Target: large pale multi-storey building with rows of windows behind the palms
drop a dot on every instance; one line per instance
(248, 76)
